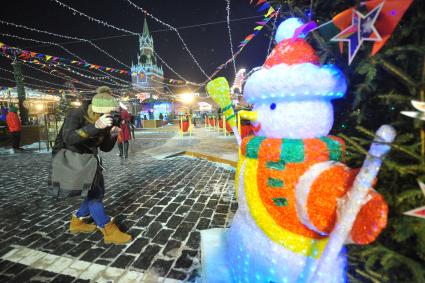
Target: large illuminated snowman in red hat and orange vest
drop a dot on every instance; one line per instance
(290, 179)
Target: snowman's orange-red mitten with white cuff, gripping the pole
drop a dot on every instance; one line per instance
(320, 193)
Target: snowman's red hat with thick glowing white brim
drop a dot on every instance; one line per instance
(292, 70)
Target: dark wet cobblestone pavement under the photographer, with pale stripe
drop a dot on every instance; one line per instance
(163, 204)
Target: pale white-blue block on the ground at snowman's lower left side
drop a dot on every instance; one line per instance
(213, 256)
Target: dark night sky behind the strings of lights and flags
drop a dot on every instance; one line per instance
(209, 43)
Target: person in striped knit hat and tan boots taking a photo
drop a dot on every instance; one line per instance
(84, 131)
